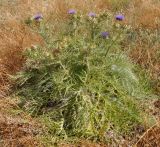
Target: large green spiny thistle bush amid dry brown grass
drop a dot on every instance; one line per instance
(82, 83)
